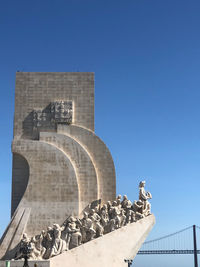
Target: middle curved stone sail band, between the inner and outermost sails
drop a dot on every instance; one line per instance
(82, 162)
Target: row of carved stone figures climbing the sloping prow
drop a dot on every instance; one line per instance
(96, 222)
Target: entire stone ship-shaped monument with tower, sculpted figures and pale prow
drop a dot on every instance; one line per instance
(64, 204)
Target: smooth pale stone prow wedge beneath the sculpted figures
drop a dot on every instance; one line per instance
(108, 250)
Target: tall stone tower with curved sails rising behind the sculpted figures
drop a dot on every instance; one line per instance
(59, 164)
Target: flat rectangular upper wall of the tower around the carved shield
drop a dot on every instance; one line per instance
(37, 90)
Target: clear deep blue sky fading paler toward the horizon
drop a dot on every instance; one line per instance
(146, 59)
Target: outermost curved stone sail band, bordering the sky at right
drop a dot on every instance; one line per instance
(100, 156)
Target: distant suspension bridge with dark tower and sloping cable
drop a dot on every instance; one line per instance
(185, 241)
